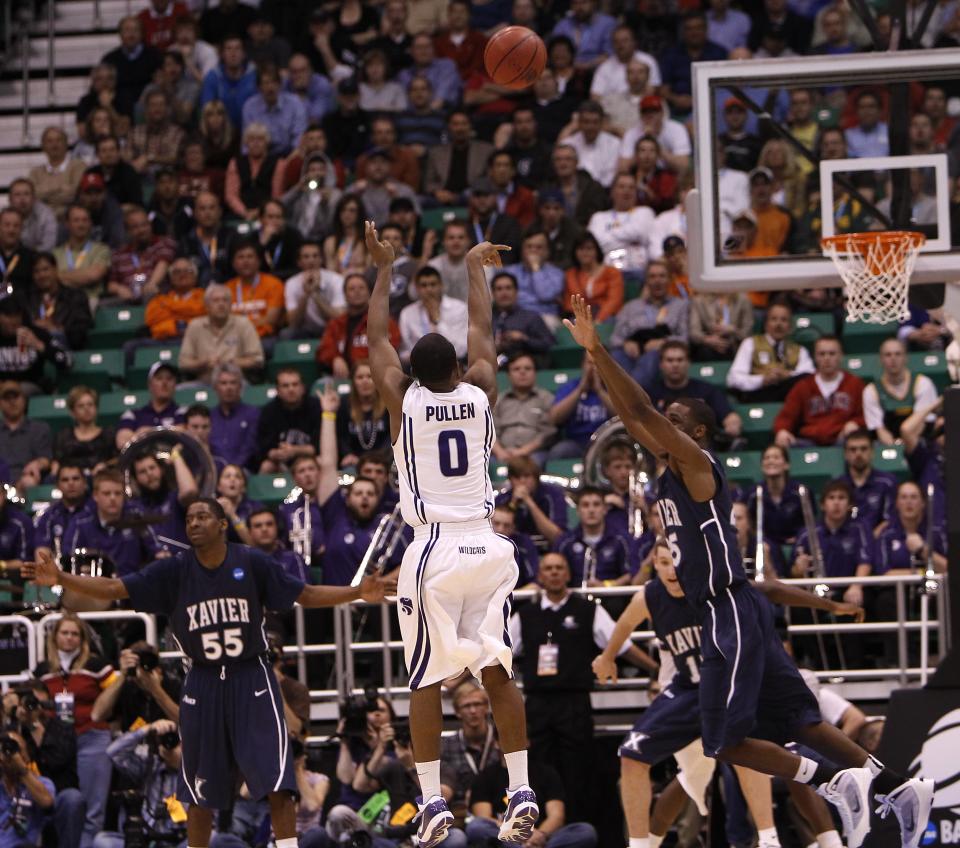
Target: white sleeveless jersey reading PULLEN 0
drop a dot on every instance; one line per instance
(443, 454)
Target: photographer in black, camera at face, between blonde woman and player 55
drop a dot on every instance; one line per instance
(142, 690)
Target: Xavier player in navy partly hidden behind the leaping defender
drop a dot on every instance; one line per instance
(672, 722)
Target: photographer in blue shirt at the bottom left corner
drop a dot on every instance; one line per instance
(25, 797)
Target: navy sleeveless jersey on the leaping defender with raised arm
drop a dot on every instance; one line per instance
(702, 540)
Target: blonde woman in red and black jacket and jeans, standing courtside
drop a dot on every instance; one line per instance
(77, 680)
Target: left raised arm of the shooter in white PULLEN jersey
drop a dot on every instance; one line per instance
(385, 364)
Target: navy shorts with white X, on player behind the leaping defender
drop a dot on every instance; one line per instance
(668, 725)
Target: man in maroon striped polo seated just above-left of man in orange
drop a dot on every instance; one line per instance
(137, 270)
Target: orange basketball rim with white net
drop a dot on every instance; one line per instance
(876, 269)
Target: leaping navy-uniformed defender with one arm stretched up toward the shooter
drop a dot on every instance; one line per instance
(748, 686)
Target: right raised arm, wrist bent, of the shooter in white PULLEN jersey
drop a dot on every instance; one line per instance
(481, 349)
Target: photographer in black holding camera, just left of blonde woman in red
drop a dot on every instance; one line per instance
(52, 745)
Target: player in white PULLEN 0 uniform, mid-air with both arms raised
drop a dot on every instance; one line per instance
(457, 576)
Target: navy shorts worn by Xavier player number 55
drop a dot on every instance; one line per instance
(233, 725)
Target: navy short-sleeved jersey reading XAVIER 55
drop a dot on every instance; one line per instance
(216, 614)
